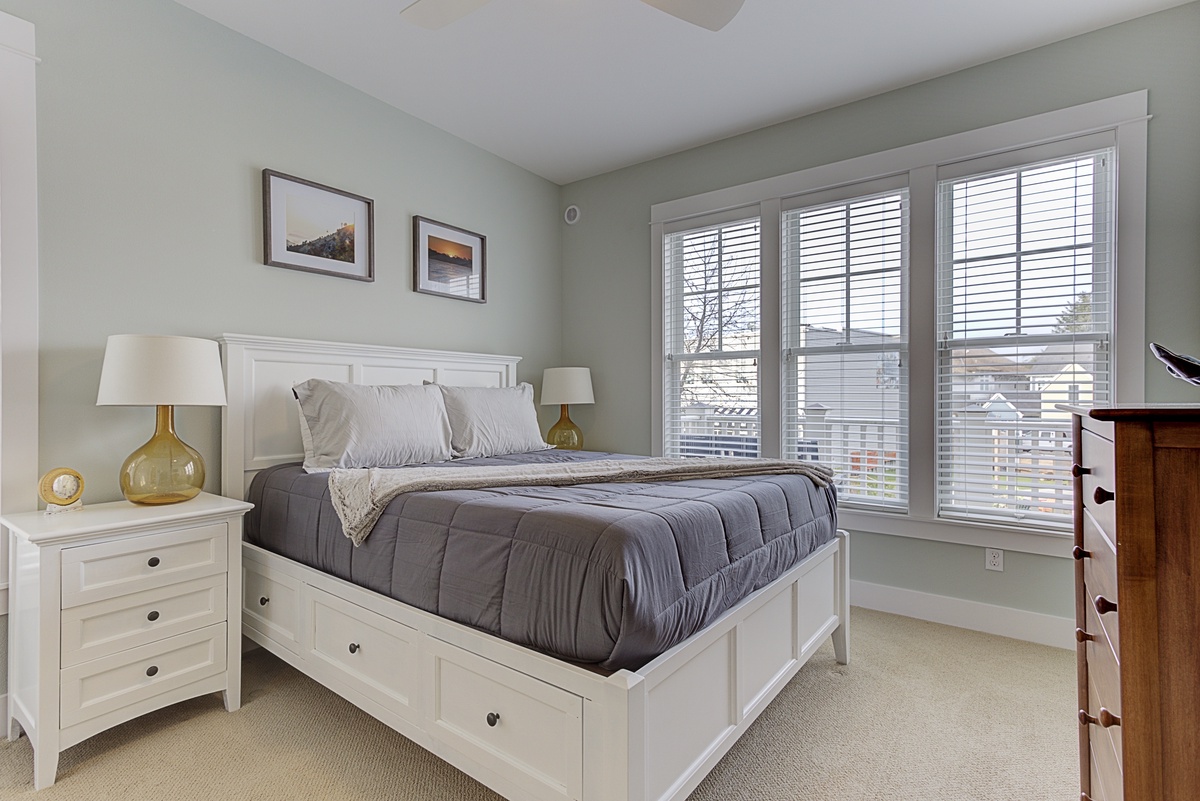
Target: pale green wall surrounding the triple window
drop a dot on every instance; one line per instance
(607, 281)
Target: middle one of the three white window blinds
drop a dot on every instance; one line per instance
(845, 382)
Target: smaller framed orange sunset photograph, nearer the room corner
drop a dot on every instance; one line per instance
(449, 262)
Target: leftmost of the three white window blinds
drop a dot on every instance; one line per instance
(711, 320)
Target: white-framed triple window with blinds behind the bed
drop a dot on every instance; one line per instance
(913, 318)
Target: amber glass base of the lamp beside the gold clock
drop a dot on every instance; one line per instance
(165, 471)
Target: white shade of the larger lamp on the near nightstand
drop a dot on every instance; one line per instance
(153, 371)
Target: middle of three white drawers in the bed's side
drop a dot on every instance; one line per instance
(370, 653)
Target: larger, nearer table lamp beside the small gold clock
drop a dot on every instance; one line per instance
(164, 372)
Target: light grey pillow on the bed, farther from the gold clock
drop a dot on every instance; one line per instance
(493, 421)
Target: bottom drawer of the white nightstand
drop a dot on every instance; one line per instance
(117, 682)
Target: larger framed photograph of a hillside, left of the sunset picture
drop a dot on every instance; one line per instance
(317, 228)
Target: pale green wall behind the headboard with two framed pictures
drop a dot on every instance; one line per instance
(154, 128)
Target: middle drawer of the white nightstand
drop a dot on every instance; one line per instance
(110, 627)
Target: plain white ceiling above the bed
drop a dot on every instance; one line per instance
(571, 89)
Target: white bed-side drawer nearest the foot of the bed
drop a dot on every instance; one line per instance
(508, 720)
